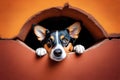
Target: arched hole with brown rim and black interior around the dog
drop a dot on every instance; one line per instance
(60, 18)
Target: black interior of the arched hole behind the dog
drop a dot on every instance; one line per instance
(58, 23)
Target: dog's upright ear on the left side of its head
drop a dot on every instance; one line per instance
(40, 32)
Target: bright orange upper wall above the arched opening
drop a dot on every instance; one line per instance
(14, 13)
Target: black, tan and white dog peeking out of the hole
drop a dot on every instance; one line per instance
(58, 43)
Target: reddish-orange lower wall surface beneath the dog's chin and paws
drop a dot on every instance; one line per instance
(17, 62)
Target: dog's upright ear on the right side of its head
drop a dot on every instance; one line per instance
(74, 30)
